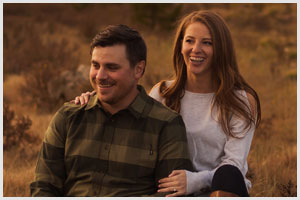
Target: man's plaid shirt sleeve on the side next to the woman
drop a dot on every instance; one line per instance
(172, 150)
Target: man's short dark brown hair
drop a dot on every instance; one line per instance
(136, 49)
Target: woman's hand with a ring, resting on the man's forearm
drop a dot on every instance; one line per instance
(175, 183)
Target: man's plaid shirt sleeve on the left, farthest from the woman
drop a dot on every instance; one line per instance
(50, 171)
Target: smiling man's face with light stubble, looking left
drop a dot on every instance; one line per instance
(112, 77)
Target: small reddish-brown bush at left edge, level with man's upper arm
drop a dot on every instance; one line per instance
(16, 130)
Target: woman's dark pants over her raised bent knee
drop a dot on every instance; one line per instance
(229, 178)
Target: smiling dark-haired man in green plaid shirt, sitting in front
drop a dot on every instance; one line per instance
(122, 141)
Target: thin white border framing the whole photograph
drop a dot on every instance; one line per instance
(143, 1)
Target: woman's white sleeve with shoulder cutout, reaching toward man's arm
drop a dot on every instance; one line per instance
(236, 151)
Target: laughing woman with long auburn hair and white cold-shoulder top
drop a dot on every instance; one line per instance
(220, 110)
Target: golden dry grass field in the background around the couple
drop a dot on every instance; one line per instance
(265, 40)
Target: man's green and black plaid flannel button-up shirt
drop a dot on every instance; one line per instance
(88, 152)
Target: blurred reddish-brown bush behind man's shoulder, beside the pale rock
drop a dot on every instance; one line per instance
(56, 59)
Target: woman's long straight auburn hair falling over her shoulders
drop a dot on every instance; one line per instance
(224, 69)
